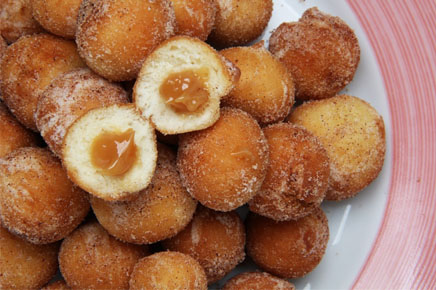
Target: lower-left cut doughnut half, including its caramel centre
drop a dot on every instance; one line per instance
(110, 152)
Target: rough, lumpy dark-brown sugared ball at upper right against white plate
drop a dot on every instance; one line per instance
(321, 51)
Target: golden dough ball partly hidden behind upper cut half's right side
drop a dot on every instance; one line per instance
(265, 89)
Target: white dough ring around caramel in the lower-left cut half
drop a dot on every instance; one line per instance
(79, 140)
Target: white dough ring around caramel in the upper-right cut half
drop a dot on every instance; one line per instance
(176, 56)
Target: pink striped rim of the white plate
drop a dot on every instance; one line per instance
(403, 35)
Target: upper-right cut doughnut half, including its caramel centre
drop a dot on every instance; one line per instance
(180, 85)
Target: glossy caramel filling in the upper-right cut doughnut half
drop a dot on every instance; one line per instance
(185, 91)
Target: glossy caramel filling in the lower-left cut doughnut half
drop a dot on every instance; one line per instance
(114, 153)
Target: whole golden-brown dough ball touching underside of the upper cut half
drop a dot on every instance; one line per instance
(224, 165)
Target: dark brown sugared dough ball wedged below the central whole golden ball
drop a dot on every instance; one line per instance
(215, 239)
